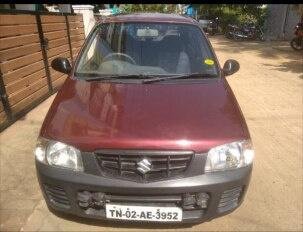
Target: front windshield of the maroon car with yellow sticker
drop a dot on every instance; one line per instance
(120, 49)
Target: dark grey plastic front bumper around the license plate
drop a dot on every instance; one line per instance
(61, 189)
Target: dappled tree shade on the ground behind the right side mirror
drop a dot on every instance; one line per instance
(266, 50)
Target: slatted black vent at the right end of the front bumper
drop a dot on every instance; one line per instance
(230, 199)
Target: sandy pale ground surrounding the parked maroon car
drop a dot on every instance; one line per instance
(269, 90)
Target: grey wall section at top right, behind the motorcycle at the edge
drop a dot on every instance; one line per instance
(280, 22)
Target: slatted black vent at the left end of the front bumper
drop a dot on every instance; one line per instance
(57, 196)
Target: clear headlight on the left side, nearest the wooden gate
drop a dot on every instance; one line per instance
(58, 154)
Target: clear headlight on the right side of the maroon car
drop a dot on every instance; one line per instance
(229, 156)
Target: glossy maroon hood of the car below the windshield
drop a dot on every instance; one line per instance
(187, 116)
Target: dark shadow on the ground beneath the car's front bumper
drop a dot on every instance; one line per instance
(117, 224)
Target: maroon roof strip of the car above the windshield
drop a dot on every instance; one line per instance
(149, 17)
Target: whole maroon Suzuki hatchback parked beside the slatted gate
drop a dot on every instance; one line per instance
(146, 127)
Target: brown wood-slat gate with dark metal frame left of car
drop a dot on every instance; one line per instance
(29, 41)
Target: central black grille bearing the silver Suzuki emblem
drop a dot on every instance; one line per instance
(158, 166)
